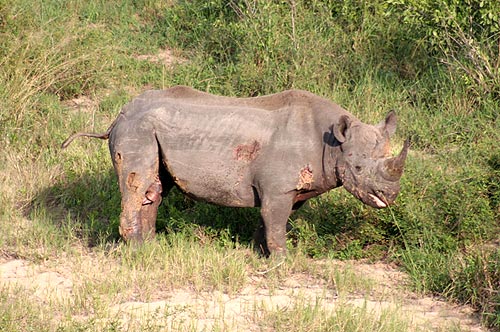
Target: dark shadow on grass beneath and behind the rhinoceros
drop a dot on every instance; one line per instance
(91, 202)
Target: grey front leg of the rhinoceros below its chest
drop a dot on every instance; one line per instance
(274, 213)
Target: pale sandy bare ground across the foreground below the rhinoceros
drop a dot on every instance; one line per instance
(180, 308)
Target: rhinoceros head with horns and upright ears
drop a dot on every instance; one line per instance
(365, 167)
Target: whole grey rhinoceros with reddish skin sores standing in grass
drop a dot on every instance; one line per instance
(273, 152)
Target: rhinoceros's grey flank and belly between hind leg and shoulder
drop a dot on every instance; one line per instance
(210, 152)
